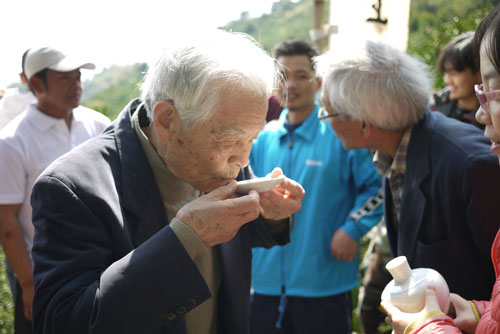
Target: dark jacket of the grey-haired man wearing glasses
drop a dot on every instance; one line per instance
(449, 211)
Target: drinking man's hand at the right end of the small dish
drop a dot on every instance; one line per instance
(282, 201)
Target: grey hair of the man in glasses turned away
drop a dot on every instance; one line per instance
(380, 85)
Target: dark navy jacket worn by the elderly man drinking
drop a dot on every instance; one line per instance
(105, 259)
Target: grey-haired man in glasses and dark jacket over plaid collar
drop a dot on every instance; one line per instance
(440, 176)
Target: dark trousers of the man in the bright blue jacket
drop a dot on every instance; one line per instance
(331, 314)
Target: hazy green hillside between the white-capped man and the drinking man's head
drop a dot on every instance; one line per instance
(113, 88)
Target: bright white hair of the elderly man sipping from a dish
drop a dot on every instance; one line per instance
(195, 74)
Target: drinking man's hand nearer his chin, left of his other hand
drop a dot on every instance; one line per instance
(217, 216)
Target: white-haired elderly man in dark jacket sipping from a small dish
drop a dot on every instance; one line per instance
(142, 230)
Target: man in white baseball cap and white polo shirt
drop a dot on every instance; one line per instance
(28, 144)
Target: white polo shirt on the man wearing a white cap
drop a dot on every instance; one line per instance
(29, 143)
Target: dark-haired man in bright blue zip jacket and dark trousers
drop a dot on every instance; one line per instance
(305, 286)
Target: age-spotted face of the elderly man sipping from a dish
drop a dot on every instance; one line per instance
(211, 153)
